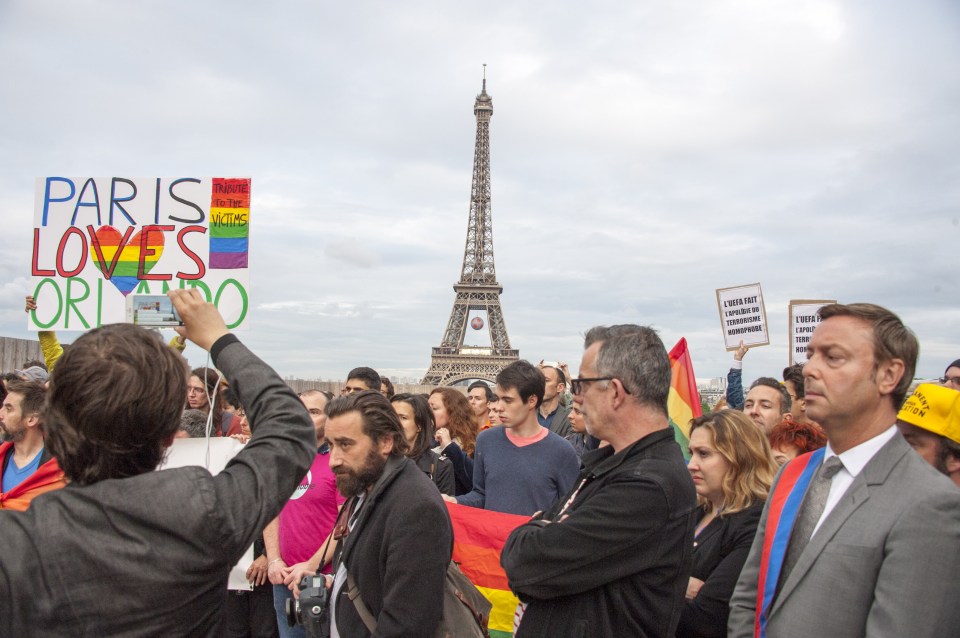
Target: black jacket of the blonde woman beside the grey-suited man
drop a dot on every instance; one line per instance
(719, 553)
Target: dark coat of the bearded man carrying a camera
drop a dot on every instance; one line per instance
(397, 553)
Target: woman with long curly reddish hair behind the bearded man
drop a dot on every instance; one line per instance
(456, 433)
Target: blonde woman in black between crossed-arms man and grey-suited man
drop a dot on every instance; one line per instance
(732, 470)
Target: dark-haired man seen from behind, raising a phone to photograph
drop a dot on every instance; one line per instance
(124, 550)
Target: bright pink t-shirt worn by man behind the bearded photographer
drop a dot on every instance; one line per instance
(309, 515)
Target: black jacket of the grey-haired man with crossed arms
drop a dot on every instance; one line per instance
(618, 565)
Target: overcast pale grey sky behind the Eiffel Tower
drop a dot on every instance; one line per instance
(644, 154)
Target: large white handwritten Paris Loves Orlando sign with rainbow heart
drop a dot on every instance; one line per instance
(97, 240)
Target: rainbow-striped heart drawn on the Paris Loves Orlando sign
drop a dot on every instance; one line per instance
(123, 259)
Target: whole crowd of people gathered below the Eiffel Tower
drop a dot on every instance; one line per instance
(824, 502)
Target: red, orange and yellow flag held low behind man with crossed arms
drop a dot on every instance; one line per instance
(478, 538)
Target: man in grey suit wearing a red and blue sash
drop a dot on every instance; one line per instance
(884, 553)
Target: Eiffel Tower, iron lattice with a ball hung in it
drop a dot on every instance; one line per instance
(477, 289)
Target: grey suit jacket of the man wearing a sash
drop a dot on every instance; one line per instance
(885, 561)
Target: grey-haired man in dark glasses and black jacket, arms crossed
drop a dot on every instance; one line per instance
(613, 556)
